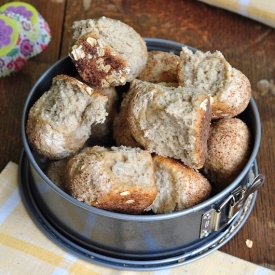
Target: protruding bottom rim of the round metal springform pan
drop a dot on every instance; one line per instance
(72, 245)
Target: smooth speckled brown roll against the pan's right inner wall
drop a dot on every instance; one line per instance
(228, 150)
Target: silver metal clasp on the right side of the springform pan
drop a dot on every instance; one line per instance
(216, 218)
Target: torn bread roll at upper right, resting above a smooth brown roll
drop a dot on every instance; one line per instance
(229, 88)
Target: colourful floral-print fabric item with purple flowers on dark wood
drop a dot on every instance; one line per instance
(23, 34)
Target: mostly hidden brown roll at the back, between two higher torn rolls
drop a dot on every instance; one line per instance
(161, 67)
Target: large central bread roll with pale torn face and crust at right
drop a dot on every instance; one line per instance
(169, 121)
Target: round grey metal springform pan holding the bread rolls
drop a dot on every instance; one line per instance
(138, 240)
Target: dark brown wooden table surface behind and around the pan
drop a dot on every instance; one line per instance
(248, 45)
